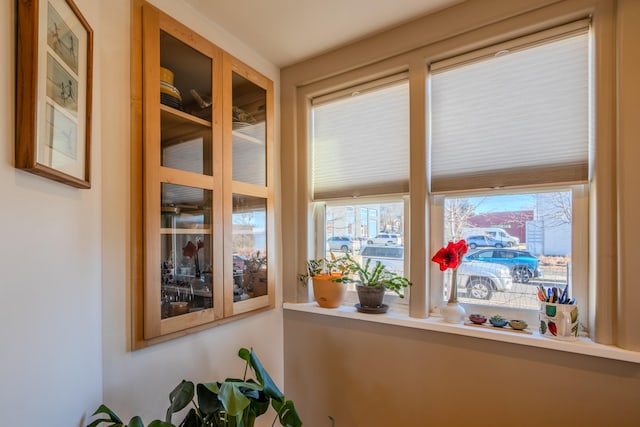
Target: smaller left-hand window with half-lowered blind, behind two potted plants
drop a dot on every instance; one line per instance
(360, 160)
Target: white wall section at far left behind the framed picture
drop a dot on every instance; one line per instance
(50, 314)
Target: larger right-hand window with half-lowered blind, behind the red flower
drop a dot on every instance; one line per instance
(504, 120)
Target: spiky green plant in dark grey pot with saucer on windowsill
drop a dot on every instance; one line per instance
(372, 280)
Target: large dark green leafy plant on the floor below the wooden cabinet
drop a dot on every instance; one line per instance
(231, 403)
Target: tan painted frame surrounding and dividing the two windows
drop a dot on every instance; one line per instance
(360, 62)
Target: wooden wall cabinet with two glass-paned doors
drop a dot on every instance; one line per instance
(205, 183)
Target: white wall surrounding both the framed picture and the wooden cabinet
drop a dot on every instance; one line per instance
(64, 320)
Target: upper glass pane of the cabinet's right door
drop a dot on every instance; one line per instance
(249, 132)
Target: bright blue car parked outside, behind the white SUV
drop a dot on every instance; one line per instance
(522, 264)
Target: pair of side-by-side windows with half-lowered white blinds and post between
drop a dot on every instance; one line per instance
(507, 124)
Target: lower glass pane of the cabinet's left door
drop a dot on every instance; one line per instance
(186, 250)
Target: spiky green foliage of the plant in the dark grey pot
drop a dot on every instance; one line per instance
(374, 274)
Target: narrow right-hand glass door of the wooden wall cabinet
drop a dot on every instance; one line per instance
(248, 150)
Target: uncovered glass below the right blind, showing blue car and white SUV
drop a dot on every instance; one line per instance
(517, 242)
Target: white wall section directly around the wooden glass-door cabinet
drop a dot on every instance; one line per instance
(139, 382)
